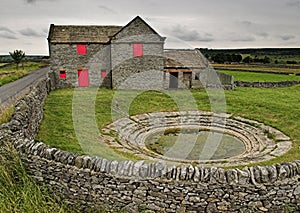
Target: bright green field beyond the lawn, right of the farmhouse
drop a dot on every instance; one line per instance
(260, 77)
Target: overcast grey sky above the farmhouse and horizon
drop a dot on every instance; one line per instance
(24, 24)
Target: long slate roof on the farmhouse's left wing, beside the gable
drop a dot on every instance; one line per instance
(78, 34)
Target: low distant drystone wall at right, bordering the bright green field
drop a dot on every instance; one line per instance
(266, 84)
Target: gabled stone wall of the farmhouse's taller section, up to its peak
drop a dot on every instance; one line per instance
(143, 72)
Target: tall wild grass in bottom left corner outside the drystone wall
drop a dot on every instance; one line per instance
(19, 192)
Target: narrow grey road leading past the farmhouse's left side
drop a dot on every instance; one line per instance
(10, 91)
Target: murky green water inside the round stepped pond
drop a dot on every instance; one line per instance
(194, 144)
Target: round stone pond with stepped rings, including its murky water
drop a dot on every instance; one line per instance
(196, 137)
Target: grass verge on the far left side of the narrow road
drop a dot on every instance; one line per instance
(10, 73)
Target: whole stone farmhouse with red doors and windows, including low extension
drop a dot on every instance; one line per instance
(132, 56)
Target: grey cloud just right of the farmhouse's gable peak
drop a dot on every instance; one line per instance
(186, 34)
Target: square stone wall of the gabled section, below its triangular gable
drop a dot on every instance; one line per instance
(144, 72)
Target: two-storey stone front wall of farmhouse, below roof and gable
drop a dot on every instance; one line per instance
(97, 59)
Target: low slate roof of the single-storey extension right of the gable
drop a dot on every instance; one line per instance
(184, 58)
